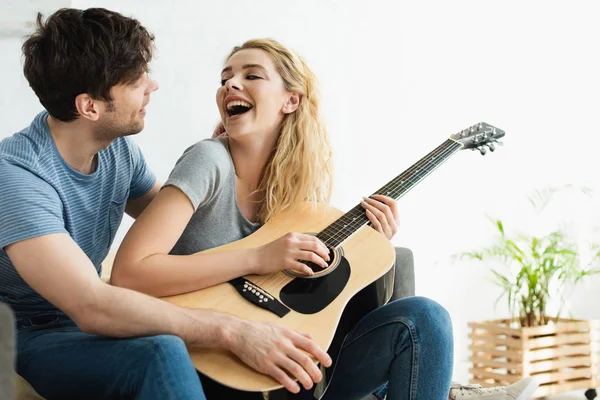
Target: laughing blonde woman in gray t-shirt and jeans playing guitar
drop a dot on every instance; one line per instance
(275, 154)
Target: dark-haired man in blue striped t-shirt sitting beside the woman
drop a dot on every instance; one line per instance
(67, 180)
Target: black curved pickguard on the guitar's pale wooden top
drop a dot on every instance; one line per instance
(309, 296)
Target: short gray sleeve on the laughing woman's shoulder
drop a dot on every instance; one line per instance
(201, 171)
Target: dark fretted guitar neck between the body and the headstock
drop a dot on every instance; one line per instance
(353, 220)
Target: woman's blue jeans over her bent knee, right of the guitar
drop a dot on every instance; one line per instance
(406, 345)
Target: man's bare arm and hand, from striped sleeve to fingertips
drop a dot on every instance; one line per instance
(55, 267)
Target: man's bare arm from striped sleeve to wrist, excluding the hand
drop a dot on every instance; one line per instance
(55, 267)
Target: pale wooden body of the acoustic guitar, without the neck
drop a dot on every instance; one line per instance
(367, 256)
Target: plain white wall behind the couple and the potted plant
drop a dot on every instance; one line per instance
(398, 78)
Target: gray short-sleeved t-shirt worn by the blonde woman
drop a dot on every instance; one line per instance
(205, 173)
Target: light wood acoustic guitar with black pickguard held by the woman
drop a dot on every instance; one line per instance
(359, 277)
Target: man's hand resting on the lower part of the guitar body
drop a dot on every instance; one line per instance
(279, 352)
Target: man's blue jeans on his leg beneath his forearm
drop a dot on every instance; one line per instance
(61, 362)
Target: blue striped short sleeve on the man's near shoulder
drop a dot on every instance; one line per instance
(29, 206)
